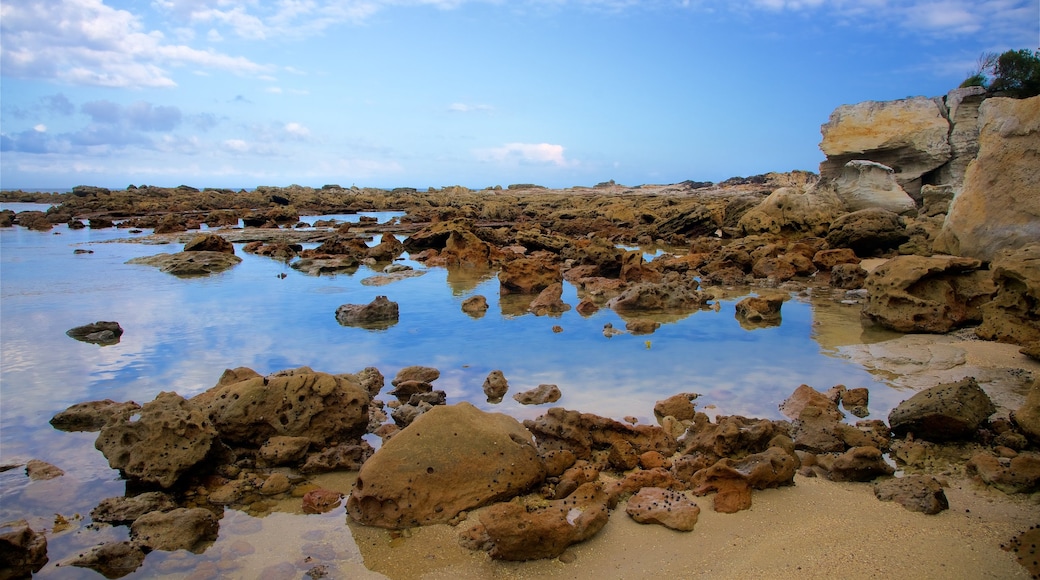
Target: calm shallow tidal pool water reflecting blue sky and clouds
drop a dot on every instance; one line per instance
(181, 334)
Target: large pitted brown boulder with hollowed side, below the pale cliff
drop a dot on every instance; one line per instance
(935, 295)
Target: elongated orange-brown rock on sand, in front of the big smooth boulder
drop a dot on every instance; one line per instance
(513, 532)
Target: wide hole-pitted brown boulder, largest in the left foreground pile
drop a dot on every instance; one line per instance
(300, 404)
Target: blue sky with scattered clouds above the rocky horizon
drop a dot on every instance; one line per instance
(478, 93)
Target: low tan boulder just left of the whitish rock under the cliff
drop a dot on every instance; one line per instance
(794, 210)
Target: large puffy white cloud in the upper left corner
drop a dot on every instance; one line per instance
(88, 43)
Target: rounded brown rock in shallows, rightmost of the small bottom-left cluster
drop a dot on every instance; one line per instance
(184, 529)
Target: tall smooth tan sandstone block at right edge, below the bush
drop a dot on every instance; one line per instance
(999, 207)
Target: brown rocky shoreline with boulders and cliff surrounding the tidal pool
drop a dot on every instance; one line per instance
(926, 213)
